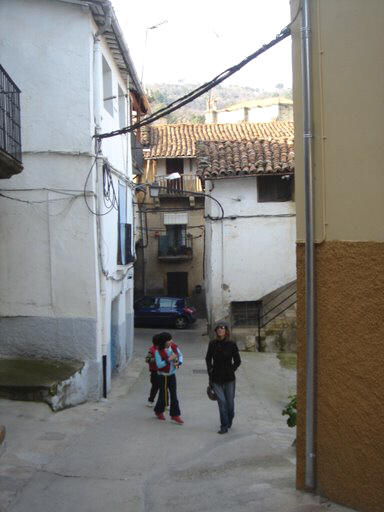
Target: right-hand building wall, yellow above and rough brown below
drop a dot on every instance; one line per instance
(347, 90)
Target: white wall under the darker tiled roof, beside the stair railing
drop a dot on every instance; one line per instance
(250, 254)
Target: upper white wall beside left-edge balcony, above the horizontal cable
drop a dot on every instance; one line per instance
(45, 49)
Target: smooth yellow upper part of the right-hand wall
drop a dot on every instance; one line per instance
(348, 108)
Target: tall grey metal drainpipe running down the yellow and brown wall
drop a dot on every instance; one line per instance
(309, 244)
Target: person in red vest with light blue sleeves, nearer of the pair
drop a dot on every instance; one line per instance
(168, 358)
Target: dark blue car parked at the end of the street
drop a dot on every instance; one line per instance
(167, 311)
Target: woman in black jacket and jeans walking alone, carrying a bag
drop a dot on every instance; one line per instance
(222, 360)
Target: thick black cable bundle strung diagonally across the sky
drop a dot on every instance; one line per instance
(175, 105)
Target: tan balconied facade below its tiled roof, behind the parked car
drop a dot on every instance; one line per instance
(170, 257)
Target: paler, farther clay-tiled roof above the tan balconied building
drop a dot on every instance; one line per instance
(178, 140)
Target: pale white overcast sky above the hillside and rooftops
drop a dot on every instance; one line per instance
(201, 38)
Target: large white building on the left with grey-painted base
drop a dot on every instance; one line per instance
(66, 276)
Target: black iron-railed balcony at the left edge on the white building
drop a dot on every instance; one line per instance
(10, 132)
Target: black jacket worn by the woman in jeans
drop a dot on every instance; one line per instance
(222, 360)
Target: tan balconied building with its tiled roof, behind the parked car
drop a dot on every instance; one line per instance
(179, 210)
